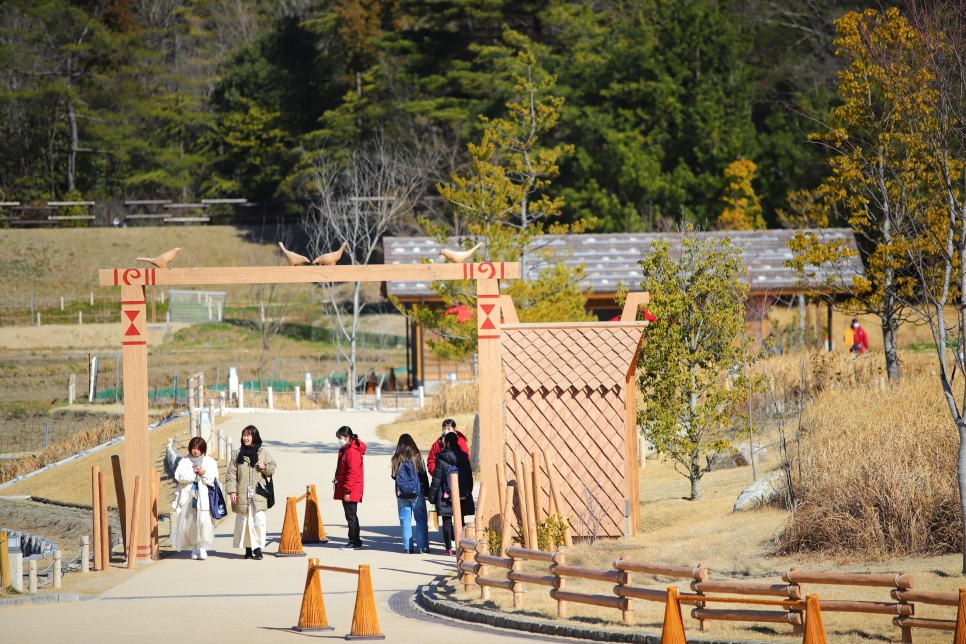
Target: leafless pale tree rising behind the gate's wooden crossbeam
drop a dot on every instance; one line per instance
(359, 201)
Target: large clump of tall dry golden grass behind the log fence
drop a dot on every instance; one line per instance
(877, 474)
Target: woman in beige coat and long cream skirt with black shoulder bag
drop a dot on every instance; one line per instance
(248, 471)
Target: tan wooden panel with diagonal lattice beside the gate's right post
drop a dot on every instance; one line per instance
(570, 393)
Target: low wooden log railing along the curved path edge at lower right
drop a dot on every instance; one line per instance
(476, 565)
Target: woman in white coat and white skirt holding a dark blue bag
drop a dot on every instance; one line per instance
(194, 475)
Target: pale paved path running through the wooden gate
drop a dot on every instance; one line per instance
(229, 599)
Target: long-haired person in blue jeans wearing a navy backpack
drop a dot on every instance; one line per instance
(412, 485)
